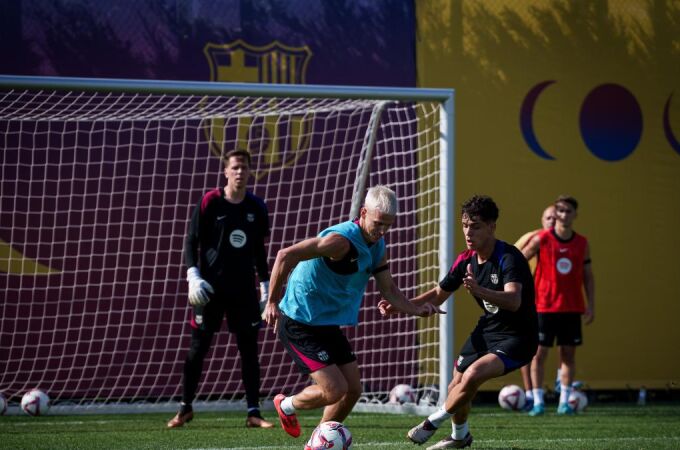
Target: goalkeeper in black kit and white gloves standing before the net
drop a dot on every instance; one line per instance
(223, 249)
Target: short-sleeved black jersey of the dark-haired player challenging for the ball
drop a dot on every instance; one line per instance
(507, 264)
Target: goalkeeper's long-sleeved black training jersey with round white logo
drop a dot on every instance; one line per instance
(228, 241)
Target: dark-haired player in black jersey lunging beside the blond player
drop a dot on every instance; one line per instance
(497, 275)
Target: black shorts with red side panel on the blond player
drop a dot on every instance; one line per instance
(314, 347)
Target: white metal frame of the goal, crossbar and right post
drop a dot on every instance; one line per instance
(445, 98)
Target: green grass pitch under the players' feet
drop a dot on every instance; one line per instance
(601, 427)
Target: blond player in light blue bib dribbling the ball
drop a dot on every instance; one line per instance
(324, 292)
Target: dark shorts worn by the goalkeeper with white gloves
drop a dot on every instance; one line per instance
(241, 310)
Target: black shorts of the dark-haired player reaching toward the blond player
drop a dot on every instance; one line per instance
(514, 351)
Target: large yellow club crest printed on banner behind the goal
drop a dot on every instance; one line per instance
(274, 142)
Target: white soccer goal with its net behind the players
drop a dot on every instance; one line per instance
(99, 178)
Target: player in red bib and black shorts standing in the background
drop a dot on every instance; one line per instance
(563, 272)
